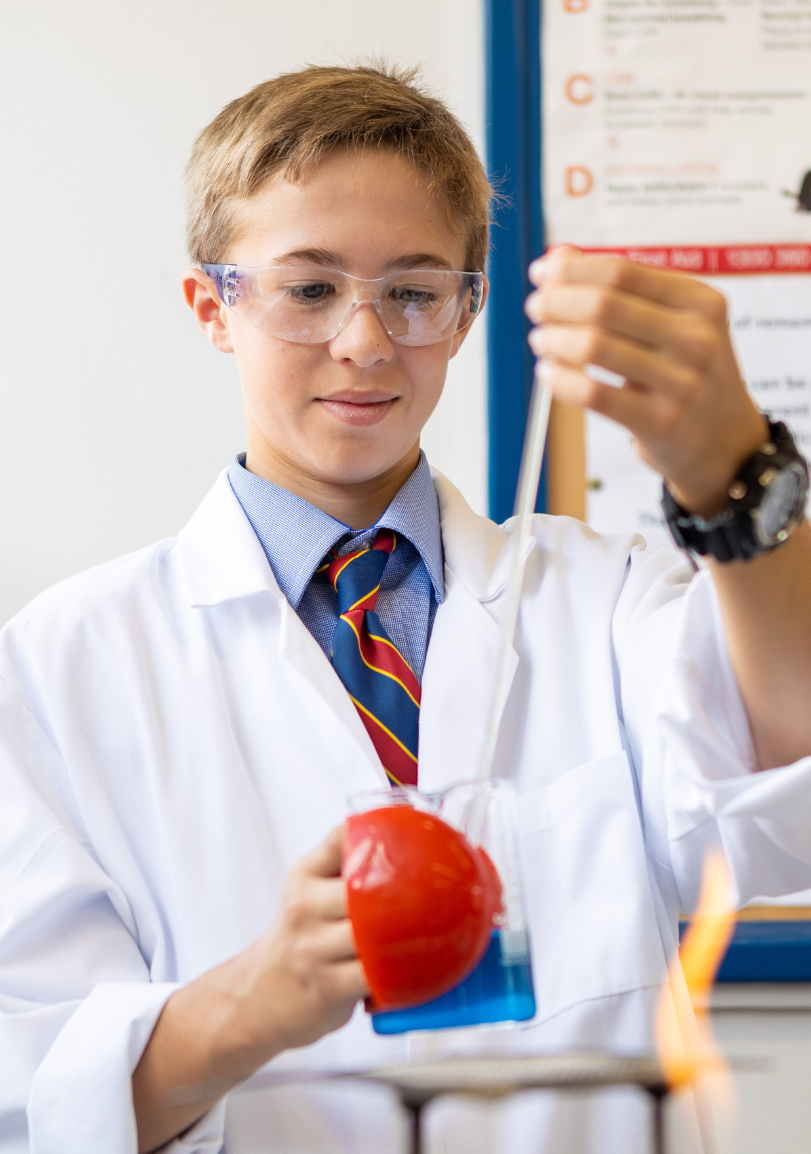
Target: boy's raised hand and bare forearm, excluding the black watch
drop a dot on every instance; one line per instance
(693, 419)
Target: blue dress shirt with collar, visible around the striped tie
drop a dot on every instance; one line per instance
(297, 537)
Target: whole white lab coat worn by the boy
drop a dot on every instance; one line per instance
(172, 739)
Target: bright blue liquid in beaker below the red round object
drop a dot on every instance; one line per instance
(500, 990)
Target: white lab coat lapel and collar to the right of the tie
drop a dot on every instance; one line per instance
(457, 683)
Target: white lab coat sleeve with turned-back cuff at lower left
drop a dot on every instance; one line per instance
(77, 1003)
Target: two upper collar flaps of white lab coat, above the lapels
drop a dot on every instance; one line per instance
(224, 559)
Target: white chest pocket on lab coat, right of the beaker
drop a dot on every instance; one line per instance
(591, 911)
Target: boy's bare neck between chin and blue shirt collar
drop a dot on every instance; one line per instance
(358, 505)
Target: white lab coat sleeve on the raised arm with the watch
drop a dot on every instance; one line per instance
(700, 786)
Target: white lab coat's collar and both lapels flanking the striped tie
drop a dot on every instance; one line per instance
(224, 560)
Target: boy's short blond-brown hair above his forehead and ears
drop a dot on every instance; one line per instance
(291, 123)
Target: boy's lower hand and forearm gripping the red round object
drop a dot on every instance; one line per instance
(298, 983)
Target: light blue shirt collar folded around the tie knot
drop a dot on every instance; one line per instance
(297, 536)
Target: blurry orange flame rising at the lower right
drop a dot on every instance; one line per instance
(686, 1045)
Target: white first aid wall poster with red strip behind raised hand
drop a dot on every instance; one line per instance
(679, 132)
